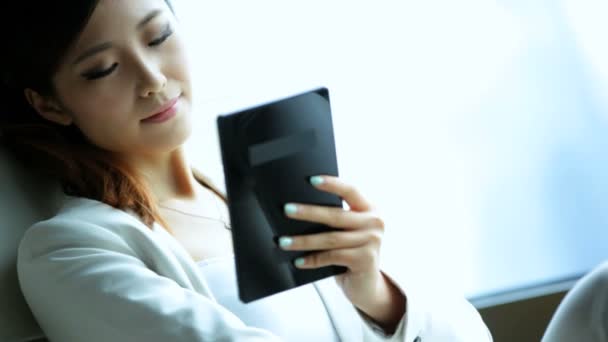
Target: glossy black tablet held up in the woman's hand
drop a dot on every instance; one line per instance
(269, 152)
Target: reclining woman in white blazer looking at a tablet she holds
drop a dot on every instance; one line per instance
(97, 94)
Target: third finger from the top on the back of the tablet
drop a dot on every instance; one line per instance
(330, 240)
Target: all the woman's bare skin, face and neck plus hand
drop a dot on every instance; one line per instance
(109, 111)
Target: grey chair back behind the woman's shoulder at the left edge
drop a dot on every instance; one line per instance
(25, 198)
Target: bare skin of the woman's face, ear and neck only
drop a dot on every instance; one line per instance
(109, 110)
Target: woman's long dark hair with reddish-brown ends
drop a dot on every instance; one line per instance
(41, 32)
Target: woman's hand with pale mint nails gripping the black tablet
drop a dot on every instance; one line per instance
(356, 246)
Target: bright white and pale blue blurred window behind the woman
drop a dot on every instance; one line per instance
(478, 128)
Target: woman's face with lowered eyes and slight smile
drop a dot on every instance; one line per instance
(127, 65)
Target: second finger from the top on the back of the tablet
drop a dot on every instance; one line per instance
(333, 217)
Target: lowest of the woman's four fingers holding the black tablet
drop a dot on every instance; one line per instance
(355, 259)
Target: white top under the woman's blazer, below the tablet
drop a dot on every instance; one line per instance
(296, 315)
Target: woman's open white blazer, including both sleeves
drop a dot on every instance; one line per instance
(96, 273)
